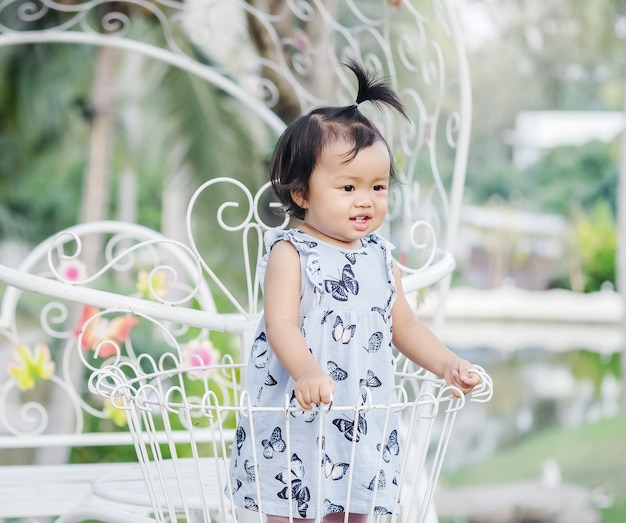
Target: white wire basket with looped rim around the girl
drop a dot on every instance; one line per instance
(183, 421)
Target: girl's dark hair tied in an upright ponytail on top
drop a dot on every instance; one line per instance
(302, 143)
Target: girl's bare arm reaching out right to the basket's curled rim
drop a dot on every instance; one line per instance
(418, 343)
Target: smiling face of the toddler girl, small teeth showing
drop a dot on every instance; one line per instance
(347, 201)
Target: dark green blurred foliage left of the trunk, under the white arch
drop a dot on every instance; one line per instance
(36, 100)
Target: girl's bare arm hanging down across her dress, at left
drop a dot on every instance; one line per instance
(282, 317)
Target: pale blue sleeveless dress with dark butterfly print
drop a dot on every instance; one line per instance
(346, 299)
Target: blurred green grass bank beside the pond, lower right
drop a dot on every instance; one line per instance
(592, 456)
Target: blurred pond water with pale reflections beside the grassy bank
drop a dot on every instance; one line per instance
(534, 390)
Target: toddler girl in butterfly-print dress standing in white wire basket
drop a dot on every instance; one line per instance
(332, 293)
